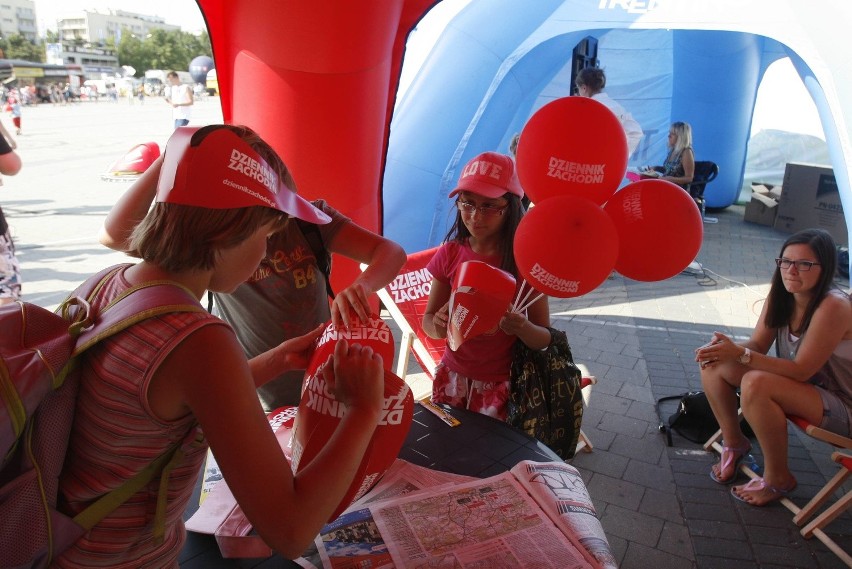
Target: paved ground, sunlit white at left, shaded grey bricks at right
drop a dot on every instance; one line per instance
(657, 503)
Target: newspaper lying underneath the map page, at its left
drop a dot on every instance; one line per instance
(353, 539)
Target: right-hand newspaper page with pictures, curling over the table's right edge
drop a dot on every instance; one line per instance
(559, 489)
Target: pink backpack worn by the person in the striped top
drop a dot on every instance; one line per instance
(39, 353)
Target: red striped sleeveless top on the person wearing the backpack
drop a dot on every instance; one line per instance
(115, 435)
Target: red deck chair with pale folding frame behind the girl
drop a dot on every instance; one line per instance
(405, 299)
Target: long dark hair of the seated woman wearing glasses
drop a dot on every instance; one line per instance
(779, 310)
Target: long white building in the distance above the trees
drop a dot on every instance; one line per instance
(95, 28)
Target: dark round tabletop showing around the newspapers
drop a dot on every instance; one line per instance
(480, 446)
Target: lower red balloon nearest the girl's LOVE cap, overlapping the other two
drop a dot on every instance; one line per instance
(565, 246)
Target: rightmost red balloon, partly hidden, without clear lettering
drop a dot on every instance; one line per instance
(659, 228)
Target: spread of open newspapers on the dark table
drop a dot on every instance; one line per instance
(536, 514)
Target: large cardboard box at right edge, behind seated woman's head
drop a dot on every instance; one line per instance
(811, 199)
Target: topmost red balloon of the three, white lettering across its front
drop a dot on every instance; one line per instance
(573, 145)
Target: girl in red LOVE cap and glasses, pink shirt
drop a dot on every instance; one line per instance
(476, 375)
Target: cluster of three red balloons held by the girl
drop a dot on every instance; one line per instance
(572, 156)
